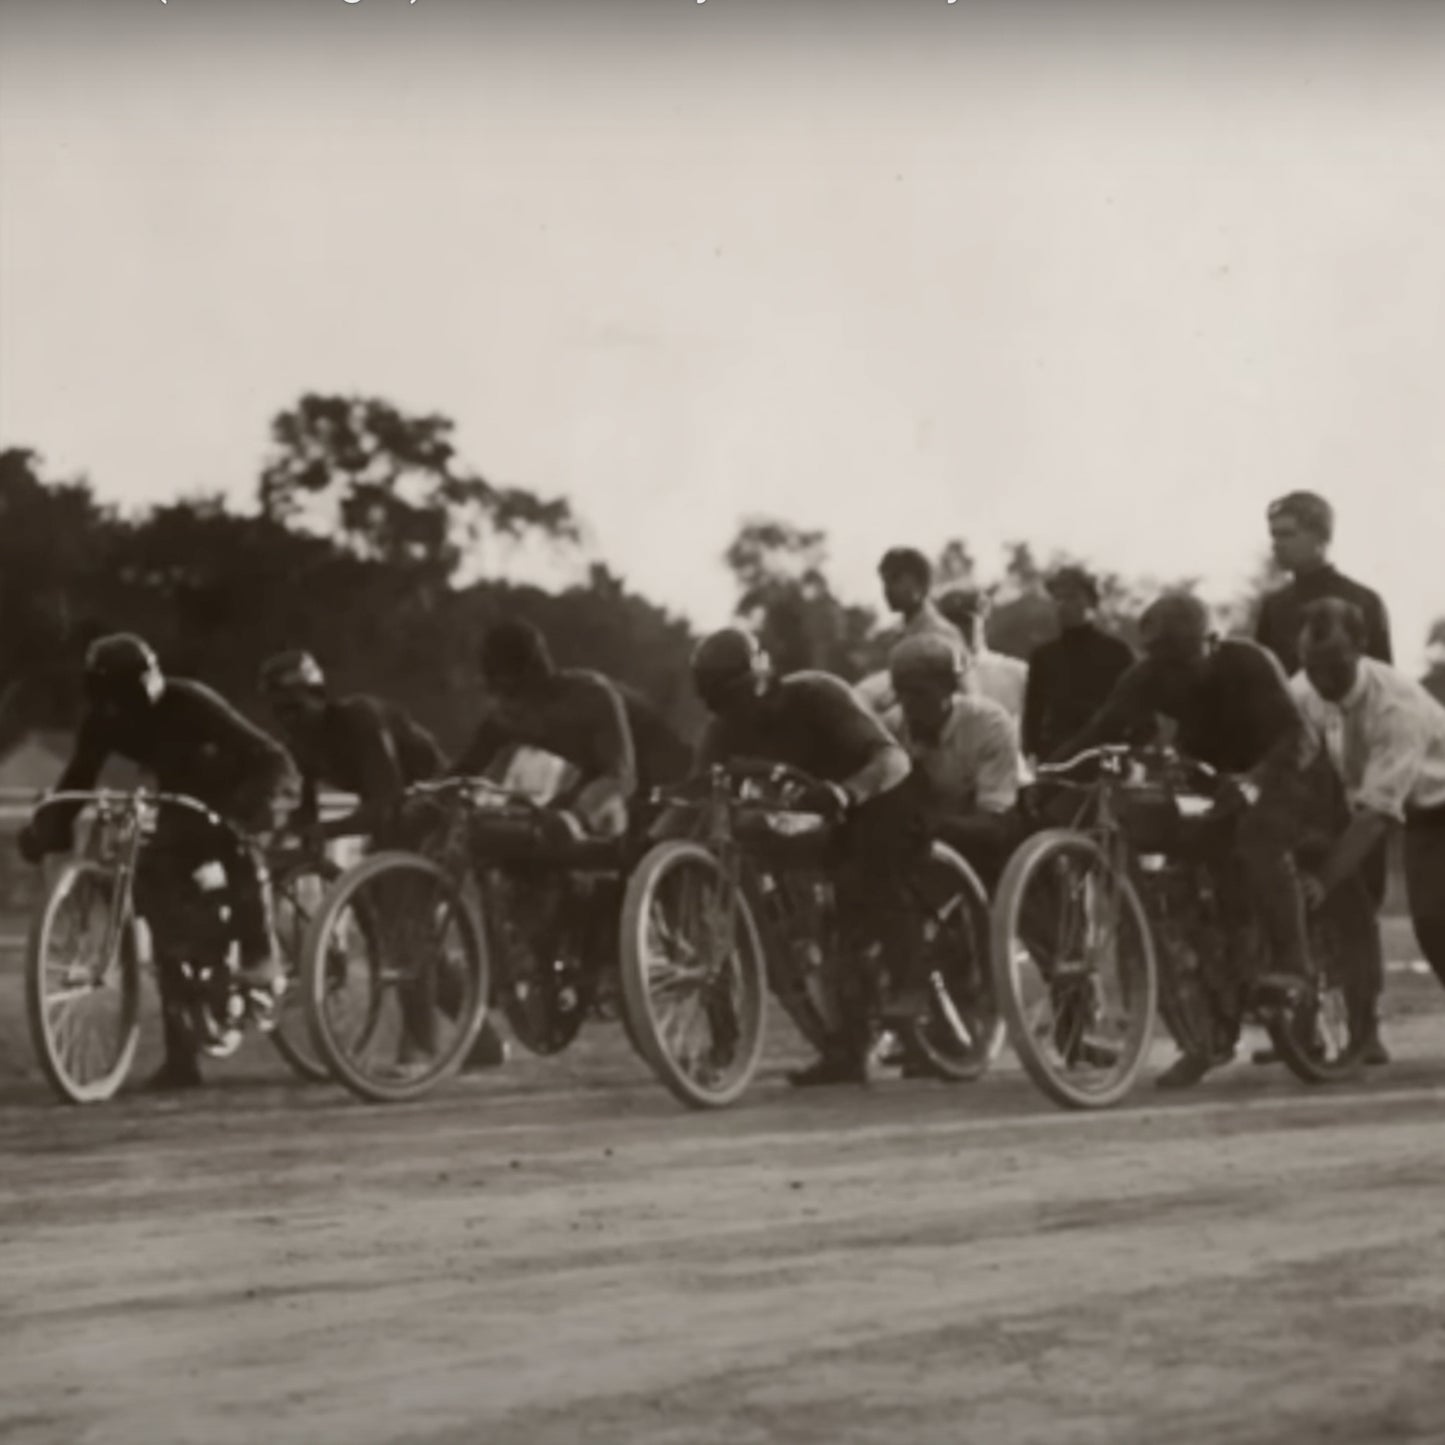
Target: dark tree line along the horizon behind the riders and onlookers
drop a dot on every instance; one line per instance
(366, 524)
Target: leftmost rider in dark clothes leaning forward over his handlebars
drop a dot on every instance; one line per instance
(193, 742)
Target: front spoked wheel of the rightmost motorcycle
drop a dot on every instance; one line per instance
(1074, 970)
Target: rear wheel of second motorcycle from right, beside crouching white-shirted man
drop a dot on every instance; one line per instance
(965, 1031)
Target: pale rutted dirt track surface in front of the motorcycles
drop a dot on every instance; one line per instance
(560, 1255)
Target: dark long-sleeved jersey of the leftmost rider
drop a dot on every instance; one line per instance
(191, 741)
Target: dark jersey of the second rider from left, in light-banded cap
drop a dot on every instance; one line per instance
(369, 748)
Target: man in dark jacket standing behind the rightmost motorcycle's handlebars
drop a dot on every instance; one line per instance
(1073, 676)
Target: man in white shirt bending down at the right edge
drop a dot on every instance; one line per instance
(1386, 736)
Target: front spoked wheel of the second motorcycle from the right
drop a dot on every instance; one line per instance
(694, 975)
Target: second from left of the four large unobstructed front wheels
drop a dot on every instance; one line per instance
(395, 978)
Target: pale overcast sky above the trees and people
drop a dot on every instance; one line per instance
(1108, 278)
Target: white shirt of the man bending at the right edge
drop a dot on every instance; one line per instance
(1386, 739)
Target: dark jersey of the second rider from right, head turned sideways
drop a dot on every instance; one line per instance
(811, 722)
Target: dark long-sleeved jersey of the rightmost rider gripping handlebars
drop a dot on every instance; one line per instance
(1238, 713)
